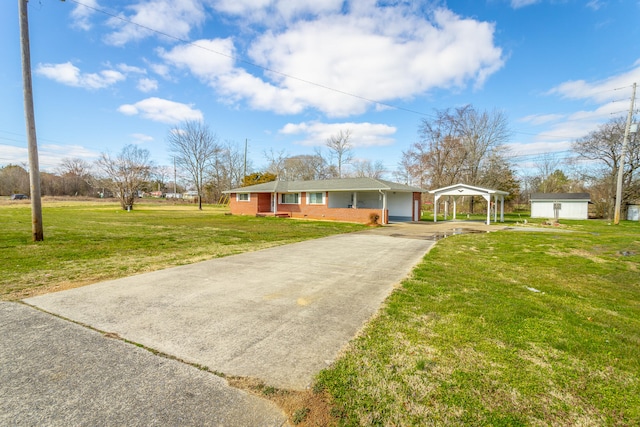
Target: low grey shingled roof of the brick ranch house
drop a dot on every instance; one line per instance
(342, 184)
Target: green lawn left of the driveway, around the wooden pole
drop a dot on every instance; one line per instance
(90, 241)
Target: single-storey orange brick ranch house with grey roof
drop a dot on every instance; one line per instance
(347, 199)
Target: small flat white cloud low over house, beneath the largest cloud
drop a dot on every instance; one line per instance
(362, 134)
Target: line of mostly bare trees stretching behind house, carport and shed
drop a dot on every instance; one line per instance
(454, 145)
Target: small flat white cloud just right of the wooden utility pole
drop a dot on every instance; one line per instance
(70, 75)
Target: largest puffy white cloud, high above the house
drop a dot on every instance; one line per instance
(374, 53)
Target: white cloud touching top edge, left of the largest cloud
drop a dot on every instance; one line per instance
(175, 18)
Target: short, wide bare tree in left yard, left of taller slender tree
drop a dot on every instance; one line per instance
(126, 173)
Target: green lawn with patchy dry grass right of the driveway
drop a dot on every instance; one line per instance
(506, 328)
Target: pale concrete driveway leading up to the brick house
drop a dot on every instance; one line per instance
(279, 315)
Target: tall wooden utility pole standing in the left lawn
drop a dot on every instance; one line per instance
(34, 167)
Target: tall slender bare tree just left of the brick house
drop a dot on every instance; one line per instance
(195, 148)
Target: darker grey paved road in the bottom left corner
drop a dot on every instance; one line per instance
(56, 373)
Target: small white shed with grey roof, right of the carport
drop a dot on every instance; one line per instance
(560, 205)
